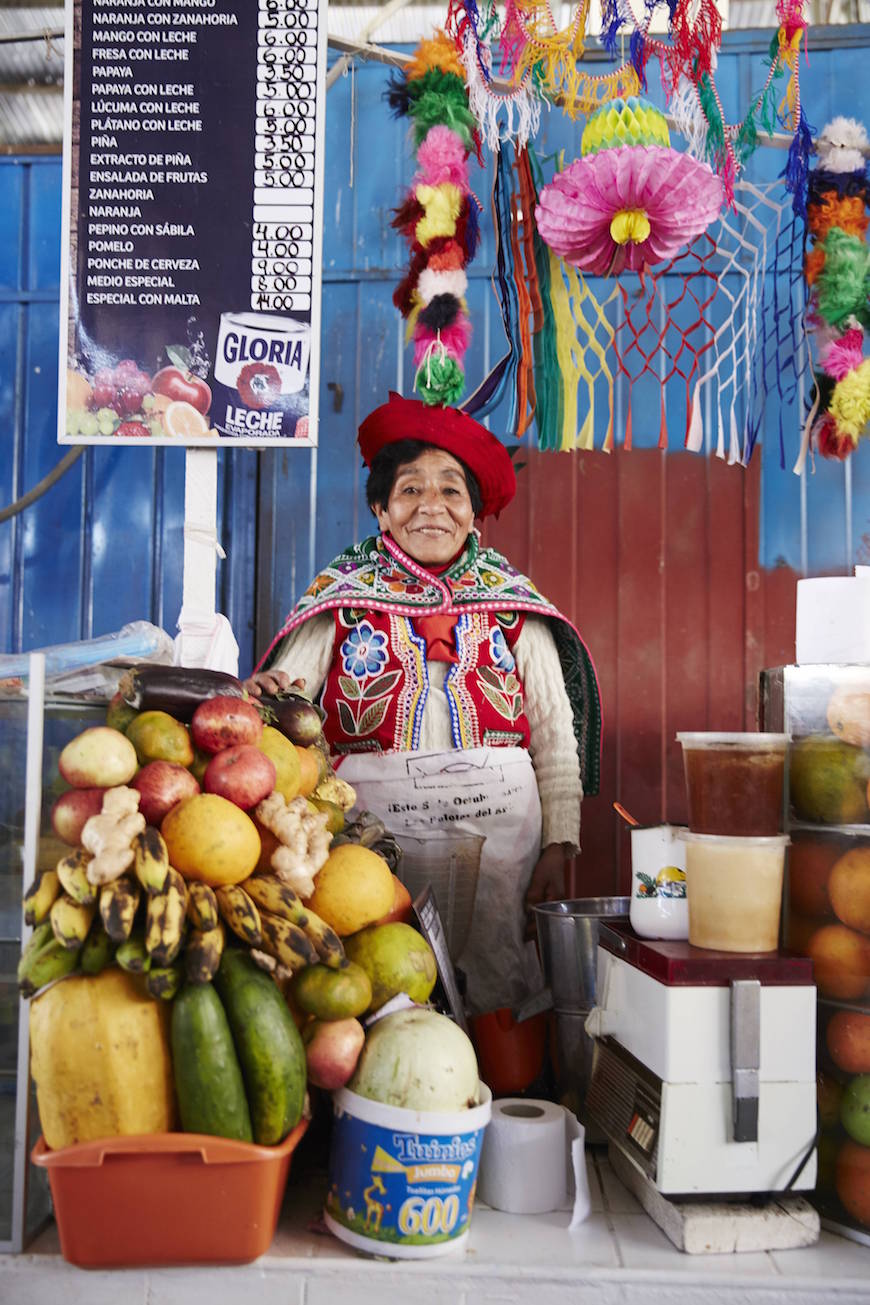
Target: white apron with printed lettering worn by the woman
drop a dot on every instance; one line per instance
(490, 791)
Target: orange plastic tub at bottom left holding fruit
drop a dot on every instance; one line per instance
(168, 1199)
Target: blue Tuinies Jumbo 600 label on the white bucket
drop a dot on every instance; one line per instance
(408, 1190)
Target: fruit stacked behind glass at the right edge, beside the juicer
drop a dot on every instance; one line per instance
(829, 919)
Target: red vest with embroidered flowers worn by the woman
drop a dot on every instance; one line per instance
(378, 686)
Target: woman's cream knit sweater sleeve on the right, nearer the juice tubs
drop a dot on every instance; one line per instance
(552, 743)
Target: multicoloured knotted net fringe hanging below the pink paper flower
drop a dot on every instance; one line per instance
(717, 332)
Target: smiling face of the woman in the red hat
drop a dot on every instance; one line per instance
(430, 512)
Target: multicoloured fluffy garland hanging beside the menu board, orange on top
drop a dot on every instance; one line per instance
(439, 217)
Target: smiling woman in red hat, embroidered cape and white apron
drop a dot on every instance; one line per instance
(418, 644)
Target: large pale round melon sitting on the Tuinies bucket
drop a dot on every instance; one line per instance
(418, 1060)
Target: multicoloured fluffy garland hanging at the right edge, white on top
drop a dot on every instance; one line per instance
(838, 273)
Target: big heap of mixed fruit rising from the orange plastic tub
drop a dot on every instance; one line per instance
(220, 930)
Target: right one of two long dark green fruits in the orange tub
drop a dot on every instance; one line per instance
(269, 1046)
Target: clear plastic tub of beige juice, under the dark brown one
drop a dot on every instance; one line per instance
(735, 889)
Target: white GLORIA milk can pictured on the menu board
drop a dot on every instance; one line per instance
(262, 375)
